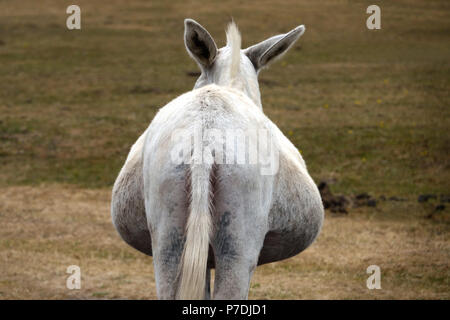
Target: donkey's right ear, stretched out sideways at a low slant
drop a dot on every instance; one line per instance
(265, 52)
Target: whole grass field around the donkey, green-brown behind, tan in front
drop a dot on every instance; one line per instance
(369, 110)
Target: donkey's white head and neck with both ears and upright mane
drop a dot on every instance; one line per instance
(230, 65)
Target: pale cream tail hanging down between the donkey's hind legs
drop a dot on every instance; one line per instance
(198, 230)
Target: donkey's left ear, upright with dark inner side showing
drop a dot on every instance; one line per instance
(199, 43)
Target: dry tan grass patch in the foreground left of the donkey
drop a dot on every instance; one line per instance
(47, 229)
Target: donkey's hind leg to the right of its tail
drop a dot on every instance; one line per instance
(239, 235)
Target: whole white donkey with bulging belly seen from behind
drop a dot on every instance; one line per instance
(202, 212)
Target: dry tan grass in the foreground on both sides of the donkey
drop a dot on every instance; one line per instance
(46, 229)
